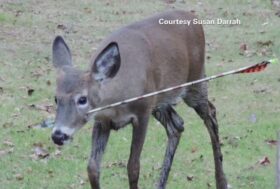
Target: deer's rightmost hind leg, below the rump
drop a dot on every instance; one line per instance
(197, 99)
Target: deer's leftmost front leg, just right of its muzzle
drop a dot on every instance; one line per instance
(100, 135)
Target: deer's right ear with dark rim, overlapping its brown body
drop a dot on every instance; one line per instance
(107, 63)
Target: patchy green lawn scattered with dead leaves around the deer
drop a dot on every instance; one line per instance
(26, 33)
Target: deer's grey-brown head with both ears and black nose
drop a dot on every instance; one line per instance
(72, 95)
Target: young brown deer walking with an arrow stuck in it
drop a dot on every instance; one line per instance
(142, 57)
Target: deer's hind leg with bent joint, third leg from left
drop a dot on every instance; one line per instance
(173, 125)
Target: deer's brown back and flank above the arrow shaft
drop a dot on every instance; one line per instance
(155, 56)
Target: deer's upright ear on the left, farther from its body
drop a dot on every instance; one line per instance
(61, 53)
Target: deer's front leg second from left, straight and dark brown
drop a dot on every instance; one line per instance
(138, 138)
